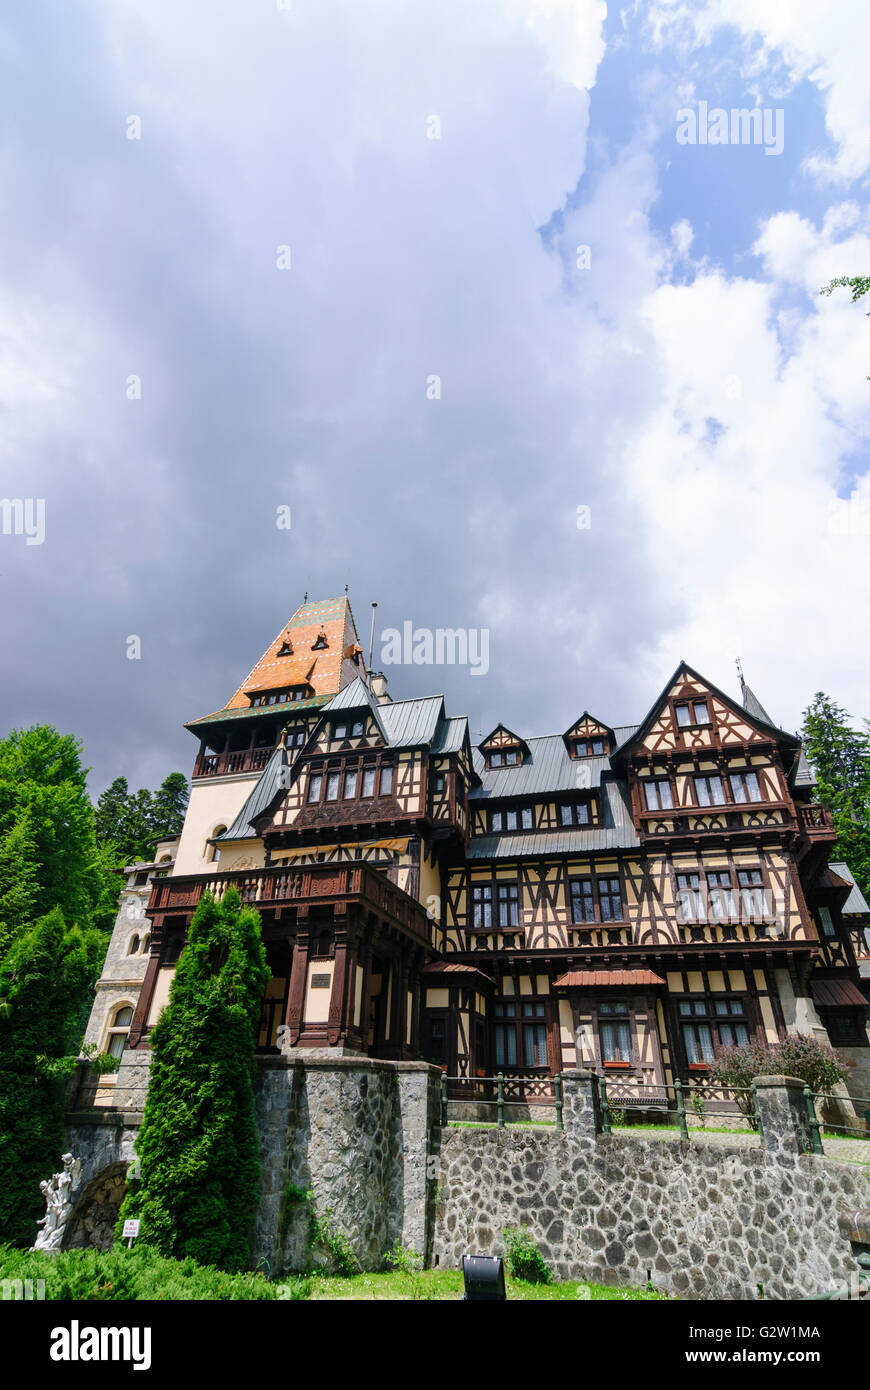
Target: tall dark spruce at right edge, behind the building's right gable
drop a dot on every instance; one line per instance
(842, 761)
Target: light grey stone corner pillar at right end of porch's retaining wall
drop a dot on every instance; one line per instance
(418, 1125)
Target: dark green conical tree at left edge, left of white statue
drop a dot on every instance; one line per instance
(45, 989)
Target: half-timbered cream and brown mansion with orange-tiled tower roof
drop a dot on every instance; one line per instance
(612, 897)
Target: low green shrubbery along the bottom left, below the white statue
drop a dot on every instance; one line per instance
(120, 1274)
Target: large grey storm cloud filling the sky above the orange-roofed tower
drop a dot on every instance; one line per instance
(306, 387)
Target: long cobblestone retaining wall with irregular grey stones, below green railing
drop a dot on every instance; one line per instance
(701, 1223)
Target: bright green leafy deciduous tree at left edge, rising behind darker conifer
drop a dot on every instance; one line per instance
(48, 821)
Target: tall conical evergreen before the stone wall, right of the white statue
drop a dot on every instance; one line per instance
(198, 1146)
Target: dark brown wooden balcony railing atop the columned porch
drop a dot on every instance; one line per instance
(311, 885)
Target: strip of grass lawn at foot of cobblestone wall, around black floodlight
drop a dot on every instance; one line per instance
(443, 1285)
